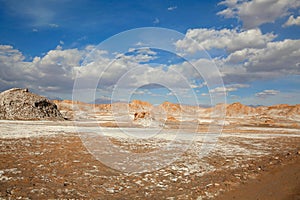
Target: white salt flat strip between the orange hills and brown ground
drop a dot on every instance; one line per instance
(11, 129)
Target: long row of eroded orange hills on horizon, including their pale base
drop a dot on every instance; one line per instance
(282, 115)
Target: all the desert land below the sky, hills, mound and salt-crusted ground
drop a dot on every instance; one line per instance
(139, 151)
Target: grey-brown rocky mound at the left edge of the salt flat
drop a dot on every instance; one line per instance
(20, 104)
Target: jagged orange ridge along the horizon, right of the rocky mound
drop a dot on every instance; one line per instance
(281, 113)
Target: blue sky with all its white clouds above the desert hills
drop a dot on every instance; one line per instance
(191, 52)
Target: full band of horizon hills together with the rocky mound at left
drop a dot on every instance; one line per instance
(20, 104)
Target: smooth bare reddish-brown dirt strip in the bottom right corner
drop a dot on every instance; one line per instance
(280, 183)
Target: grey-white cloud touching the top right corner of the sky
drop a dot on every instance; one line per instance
(253, 13)
